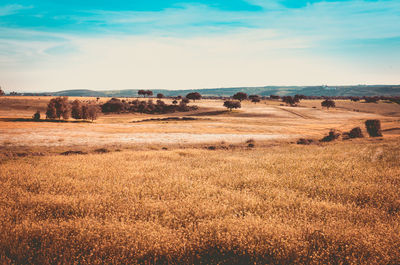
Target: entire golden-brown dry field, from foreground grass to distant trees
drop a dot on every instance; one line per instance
(195, 191)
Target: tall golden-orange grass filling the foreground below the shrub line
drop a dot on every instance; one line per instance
(329, 204)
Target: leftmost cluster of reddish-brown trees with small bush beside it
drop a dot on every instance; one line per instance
(60, 108)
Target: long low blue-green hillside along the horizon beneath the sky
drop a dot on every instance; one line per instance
(373, 90)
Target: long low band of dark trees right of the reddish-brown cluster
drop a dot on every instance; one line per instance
(116, 105)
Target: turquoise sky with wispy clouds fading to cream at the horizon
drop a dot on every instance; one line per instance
(48, 45)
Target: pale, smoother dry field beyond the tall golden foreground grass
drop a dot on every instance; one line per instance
(262, 121)
